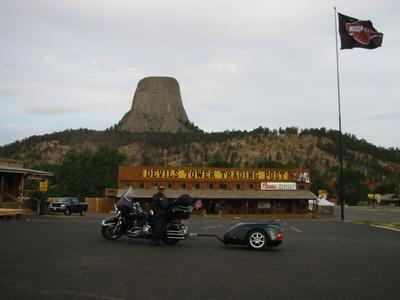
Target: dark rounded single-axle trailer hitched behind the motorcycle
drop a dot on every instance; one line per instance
(256, 235)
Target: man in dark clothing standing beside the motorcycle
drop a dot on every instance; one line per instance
(159, 205)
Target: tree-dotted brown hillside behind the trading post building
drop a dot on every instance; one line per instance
(316, 149)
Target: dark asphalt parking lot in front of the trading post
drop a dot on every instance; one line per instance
(65, 257)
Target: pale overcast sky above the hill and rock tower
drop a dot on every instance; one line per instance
(240, 64)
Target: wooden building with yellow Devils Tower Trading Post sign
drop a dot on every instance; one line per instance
(224, 190)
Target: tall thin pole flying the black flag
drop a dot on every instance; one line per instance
(341, 198)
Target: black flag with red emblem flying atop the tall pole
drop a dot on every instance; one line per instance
(358, 34)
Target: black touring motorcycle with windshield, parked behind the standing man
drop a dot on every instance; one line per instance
(131, 220)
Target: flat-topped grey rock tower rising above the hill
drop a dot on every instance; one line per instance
(156, 107)
